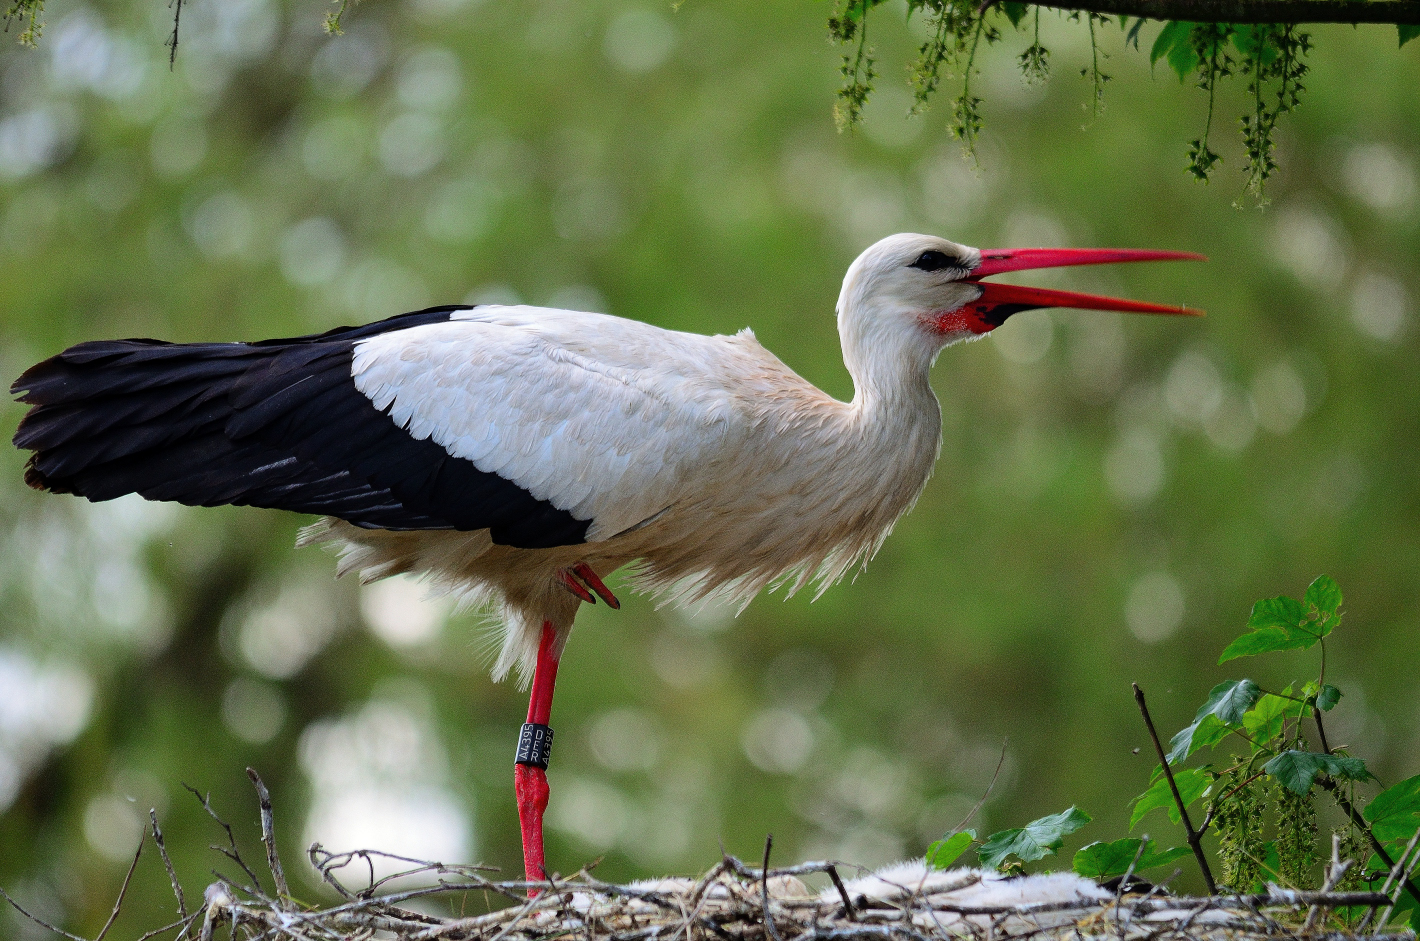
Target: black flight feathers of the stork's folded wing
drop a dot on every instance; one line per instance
(275, 424)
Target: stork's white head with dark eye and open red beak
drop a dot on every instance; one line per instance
(911, 296)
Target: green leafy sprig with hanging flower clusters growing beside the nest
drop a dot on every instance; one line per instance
(1262, 803)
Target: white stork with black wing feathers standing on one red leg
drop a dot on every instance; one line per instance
(513, 453)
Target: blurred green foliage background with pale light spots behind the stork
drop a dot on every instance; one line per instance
(1113, 495)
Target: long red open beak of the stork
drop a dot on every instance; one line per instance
(1000, 302)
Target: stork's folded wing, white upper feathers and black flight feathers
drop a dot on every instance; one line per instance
(418, 422)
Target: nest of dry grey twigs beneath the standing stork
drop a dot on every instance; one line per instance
(733, 902)
